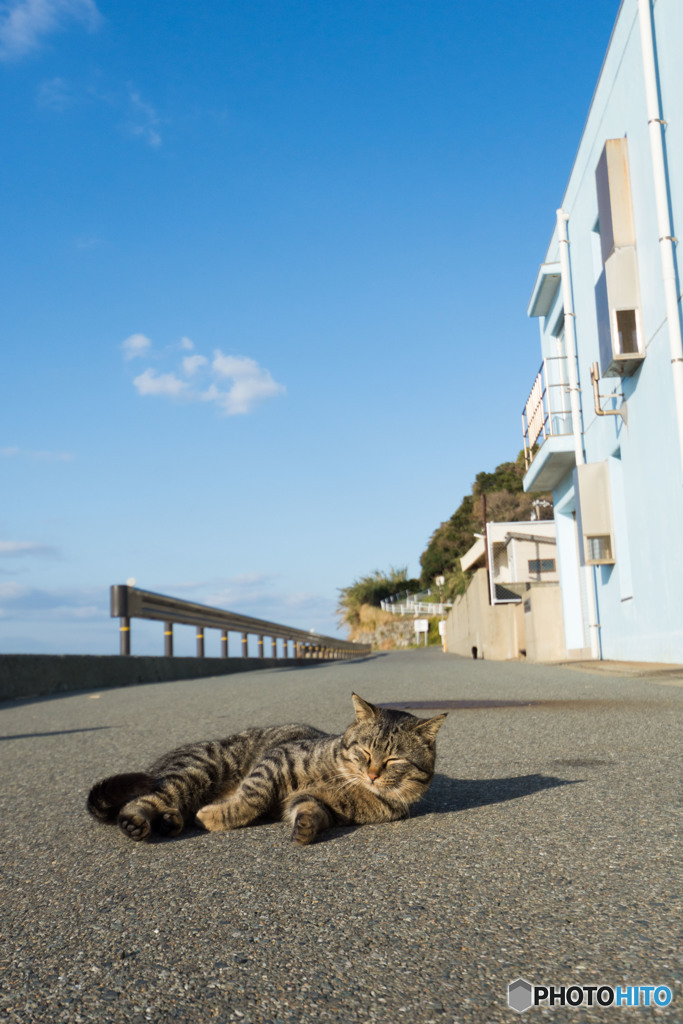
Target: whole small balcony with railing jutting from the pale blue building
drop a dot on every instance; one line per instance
(549, 446)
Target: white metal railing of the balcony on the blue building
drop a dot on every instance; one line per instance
(547, 413)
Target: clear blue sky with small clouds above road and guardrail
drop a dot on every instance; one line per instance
(266, 269)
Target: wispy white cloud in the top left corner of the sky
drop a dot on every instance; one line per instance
(25, 23)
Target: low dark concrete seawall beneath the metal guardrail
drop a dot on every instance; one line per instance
(42, 675)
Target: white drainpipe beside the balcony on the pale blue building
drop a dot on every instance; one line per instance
(575, 404)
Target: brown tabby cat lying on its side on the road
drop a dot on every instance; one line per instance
(373, 773)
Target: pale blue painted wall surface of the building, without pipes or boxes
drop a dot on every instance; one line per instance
(641, 598)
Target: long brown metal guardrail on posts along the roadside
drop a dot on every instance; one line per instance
(131, 603)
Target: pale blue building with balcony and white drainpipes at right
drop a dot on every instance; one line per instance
(604, 425)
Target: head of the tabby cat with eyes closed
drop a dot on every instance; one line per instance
(392, 752)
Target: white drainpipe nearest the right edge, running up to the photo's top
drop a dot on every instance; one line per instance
(657, 129)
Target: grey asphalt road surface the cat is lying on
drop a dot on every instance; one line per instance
(546, 849)
